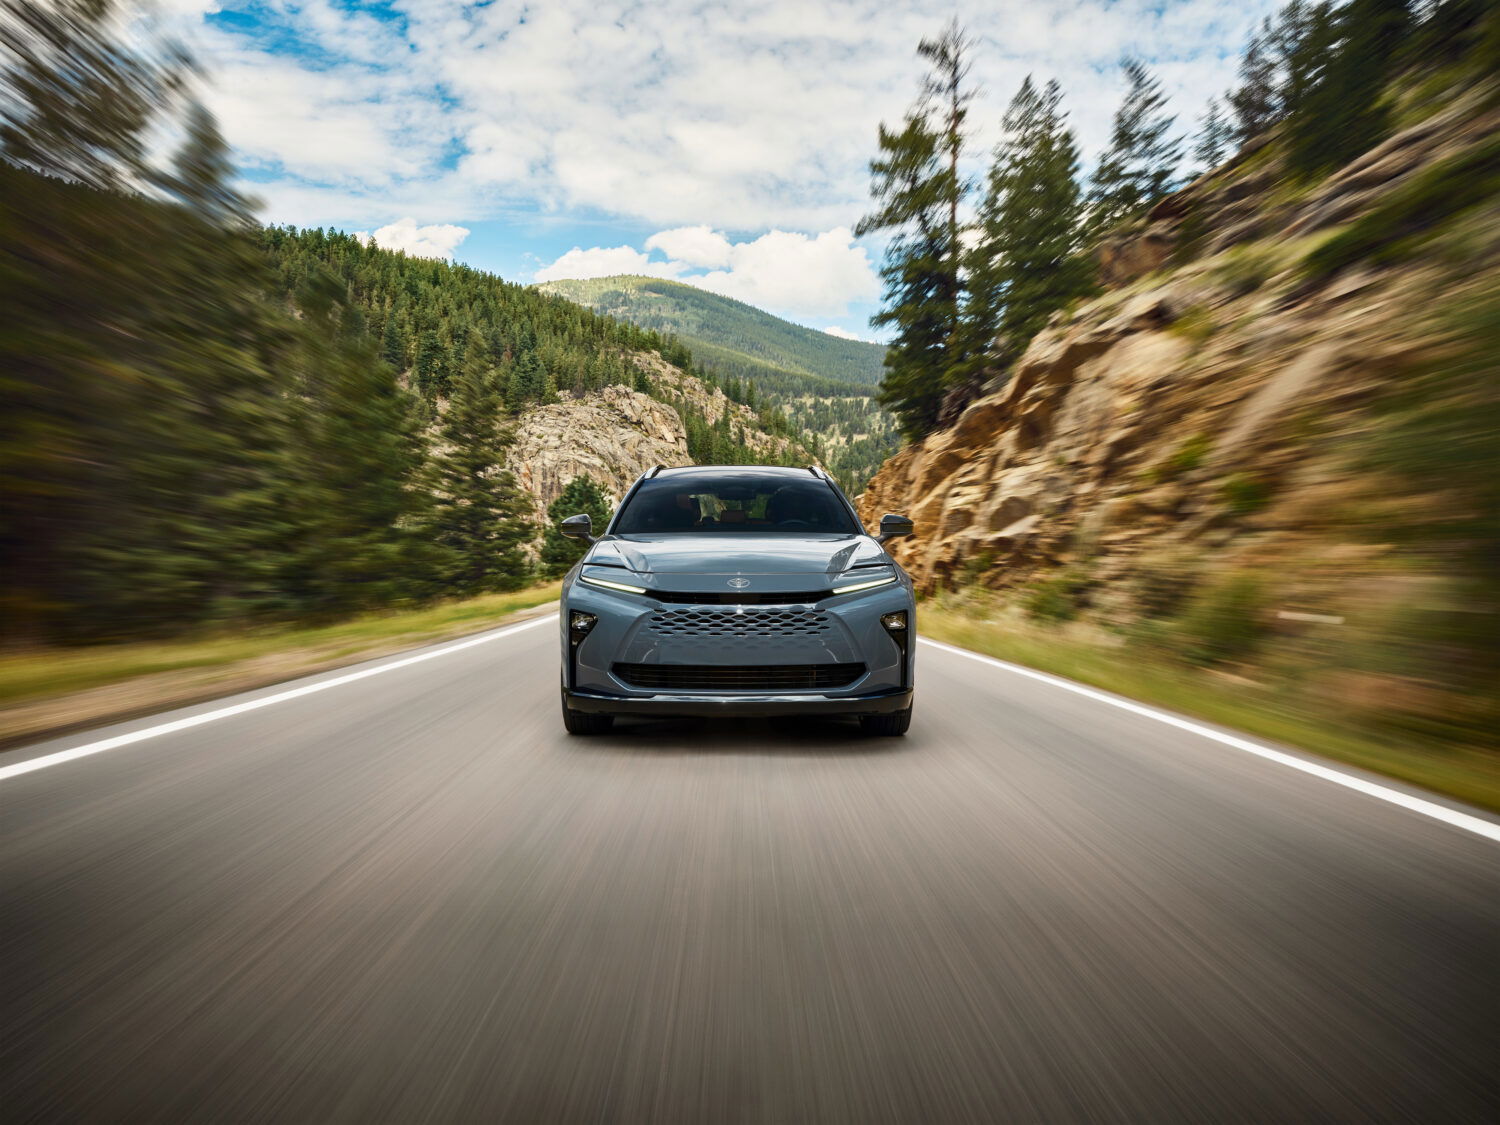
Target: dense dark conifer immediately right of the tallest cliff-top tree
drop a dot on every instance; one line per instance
(1027, 262)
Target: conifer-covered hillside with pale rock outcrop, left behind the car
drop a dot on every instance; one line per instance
(434, 320)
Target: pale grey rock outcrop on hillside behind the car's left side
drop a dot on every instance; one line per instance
(617, 434)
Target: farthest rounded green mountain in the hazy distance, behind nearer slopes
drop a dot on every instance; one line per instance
(824, 385)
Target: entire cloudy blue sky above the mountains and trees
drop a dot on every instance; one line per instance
(722, 145)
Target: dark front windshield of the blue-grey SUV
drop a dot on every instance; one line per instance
(736, 503)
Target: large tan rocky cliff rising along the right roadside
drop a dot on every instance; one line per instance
(1204, 412)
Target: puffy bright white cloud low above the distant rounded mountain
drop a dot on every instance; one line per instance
(794, 275)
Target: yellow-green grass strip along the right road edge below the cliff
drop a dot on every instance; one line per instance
(1469, 775)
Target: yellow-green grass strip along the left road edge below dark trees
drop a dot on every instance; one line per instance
(38, 674)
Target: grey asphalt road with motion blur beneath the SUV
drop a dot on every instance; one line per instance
(412, 898)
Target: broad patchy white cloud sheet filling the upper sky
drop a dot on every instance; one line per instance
(685, 115)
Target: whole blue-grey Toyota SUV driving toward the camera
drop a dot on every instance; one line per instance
(737, 592)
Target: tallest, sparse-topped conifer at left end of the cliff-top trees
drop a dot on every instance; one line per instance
(919, 193)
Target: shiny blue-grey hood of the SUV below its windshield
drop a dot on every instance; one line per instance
(737, 554)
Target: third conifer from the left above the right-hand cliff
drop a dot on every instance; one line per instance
(1141, 164)
